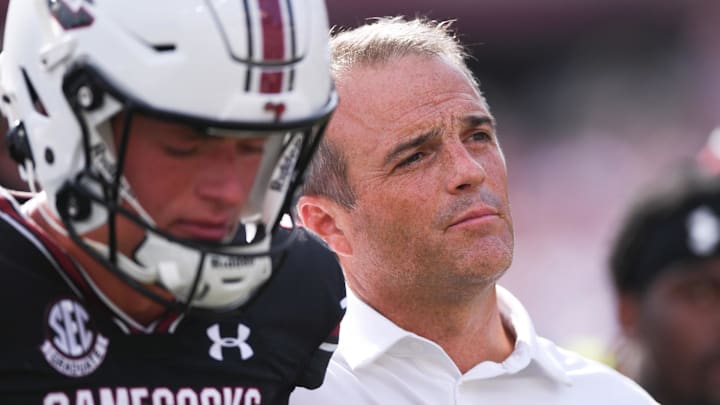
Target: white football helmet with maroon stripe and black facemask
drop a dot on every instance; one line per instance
(69, 66)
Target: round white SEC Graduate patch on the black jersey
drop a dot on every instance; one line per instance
(72, 347)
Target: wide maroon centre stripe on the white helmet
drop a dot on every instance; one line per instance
(273, 43)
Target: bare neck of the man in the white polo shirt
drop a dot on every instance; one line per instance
(469, 328)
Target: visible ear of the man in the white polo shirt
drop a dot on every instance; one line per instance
(322, 216)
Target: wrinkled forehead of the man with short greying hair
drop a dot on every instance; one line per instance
(406, 96)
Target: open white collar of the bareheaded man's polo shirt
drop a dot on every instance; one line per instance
(366, 335)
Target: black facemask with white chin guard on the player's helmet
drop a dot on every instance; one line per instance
(211, 275)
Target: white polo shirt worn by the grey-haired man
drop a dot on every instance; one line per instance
(379, 363)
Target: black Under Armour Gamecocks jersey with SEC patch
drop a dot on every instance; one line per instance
(62, 344)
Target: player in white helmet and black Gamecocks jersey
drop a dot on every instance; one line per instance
(163, 141)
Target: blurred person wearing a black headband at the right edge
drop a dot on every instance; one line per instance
(665, 268)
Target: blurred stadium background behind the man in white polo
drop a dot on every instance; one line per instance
(593, 98)
